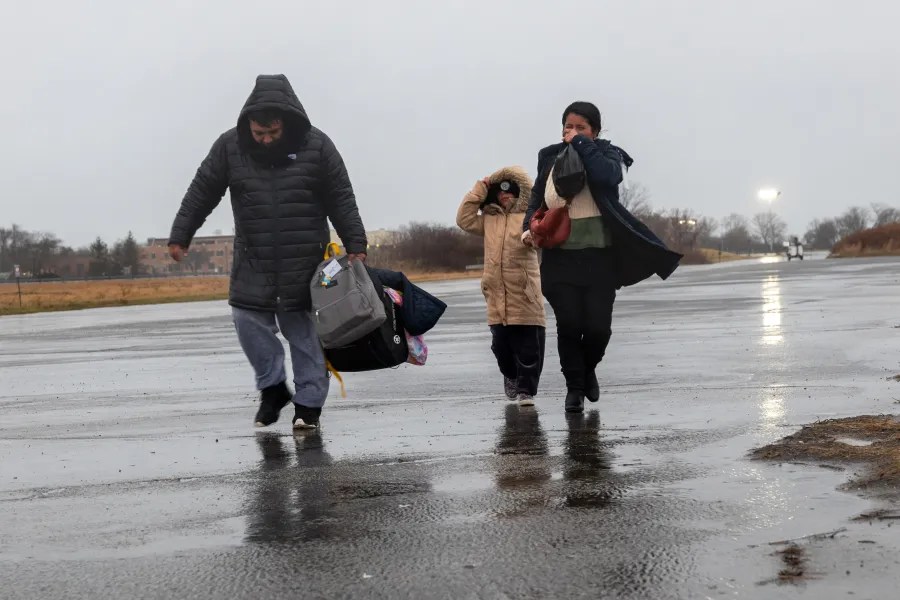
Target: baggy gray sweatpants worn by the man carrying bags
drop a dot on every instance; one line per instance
(257, 332)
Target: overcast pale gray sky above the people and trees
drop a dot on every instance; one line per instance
(111, 105)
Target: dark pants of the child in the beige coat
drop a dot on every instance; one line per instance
(520, 354)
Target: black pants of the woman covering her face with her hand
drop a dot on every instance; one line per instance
(580, 286)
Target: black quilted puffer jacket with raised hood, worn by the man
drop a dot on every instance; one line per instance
(280, 203)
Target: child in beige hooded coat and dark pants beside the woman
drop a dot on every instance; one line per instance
(511, 284)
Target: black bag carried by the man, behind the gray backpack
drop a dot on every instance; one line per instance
(384, 348)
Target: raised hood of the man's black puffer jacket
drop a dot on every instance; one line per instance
(274, 92)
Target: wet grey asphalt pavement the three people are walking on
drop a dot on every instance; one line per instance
(130, 468)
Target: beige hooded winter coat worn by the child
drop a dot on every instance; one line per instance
(512, 281)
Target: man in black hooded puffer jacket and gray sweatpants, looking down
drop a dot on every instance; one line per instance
(287, 180)
